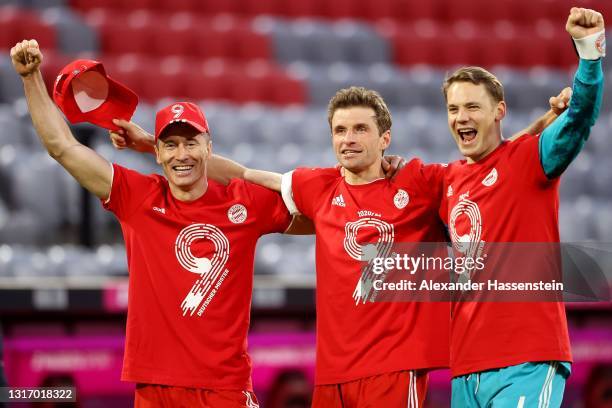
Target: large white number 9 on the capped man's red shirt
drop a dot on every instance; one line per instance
(210, 270)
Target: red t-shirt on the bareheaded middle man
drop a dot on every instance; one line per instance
(357, 339)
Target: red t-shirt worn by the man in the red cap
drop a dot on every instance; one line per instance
(190, 278)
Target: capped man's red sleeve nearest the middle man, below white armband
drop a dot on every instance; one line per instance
(272, 215)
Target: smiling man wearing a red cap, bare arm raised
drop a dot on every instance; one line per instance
(190, 246)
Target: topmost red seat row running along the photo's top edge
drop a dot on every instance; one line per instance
(403, 10)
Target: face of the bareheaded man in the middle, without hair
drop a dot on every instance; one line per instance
(357, 142)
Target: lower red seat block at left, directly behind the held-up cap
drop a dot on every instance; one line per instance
(184, 78)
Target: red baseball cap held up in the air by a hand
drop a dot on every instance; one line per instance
(85, 93)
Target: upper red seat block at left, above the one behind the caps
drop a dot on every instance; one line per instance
(178, 34)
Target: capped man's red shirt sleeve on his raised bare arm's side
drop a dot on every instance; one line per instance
(128, 191)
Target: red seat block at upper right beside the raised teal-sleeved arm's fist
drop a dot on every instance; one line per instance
(467, 44)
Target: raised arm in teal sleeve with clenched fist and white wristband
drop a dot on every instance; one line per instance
(561, 142)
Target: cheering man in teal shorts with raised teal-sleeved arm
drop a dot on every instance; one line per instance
(511, 353)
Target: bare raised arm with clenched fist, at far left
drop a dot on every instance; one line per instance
(91, 170)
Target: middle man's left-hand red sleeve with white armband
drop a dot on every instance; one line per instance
(306, 185)
